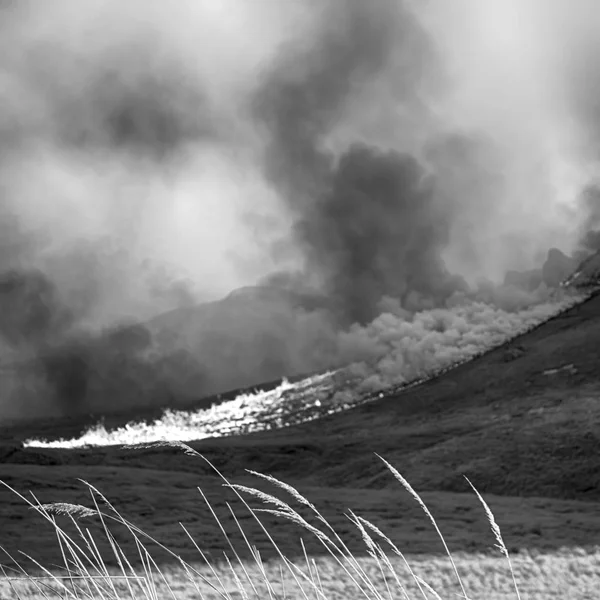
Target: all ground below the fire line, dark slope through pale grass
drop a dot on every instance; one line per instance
(521, 426)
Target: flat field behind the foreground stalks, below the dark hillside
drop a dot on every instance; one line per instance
(549, 559)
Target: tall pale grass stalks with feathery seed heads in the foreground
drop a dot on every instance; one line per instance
(85, 574)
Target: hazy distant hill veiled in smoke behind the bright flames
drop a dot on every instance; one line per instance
(177, 357)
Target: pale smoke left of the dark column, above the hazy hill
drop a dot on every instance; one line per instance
(127, 154)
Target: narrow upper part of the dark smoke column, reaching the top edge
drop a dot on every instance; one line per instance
(304, 94)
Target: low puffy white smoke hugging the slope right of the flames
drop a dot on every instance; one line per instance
(395, 350)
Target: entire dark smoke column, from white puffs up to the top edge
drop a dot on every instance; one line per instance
(368, 221)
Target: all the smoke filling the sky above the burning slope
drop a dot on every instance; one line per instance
(374, 160)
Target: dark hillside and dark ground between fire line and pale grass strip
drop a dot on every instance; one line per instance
(521, 422)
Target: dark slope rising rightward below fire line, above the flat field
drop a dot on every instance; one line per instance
(516, 423)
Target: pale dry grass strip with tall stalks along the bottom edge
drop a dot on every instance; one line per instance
(242, 573)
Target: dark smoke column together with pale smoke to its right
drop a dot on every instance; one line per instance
(481, 169)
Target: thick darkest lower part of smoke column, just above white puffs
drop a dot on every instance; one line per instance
(378, 233)
